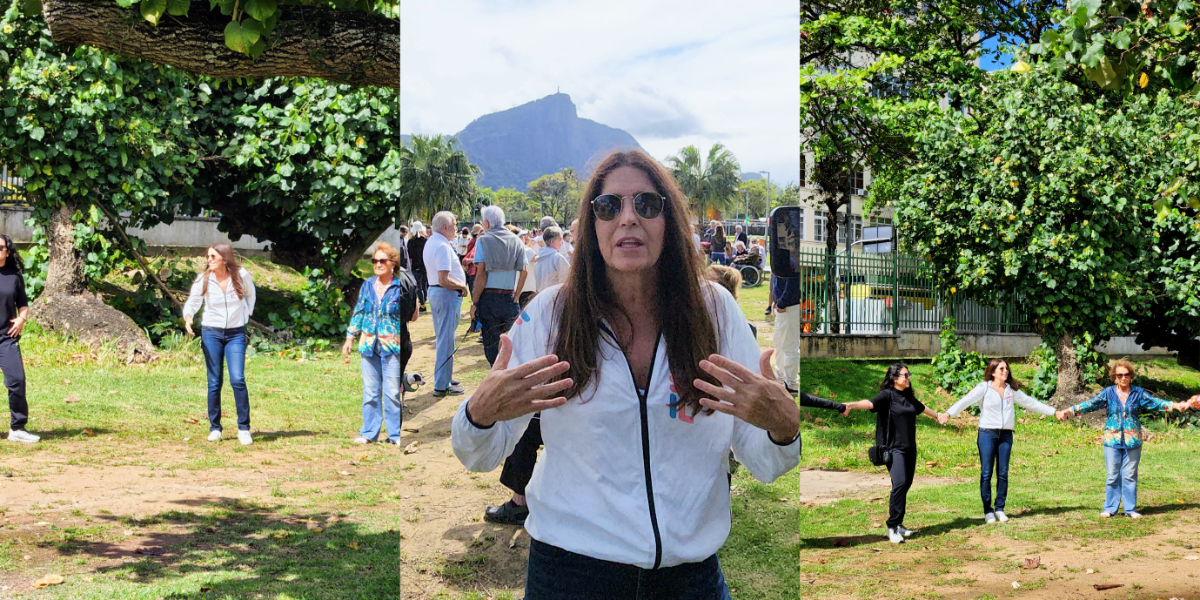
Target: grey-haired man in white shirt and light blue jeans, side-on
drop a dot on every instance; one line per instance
(447, 287)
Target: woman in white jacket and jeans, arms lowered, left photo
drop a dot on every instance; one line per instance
(227, 295)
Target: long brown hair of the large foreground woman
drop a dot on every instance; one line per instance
(683, 296)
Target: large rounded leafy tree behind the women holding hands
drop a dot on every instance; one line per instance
(1033, 195)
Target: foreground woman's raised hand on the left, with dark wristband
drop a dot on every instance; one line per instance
(511, 393)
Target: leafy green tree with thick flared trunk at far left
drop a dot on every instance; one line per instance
(89, 134)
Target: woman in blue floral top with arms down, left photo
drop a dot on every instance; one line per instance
(387, 303)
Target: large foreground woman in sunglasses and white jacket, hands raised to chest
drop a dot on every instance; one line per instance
(646, 376)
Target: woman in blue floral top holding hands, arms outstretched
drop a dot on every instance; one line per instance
(1123, 435)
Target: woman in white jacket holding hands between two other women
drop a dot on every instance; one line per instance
(998, 398)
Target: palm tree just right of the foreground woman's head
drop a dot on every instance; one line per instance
(711, 184)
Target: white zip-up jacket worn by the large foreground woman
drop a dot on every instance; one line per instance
(626, 478)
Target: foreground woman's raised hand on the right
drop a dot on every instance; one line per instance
(758, 399)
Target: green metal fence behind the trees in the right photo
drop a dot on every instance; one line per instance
(861, 293)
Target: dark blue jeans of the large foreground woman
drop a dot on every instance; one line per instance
(557, 574)
